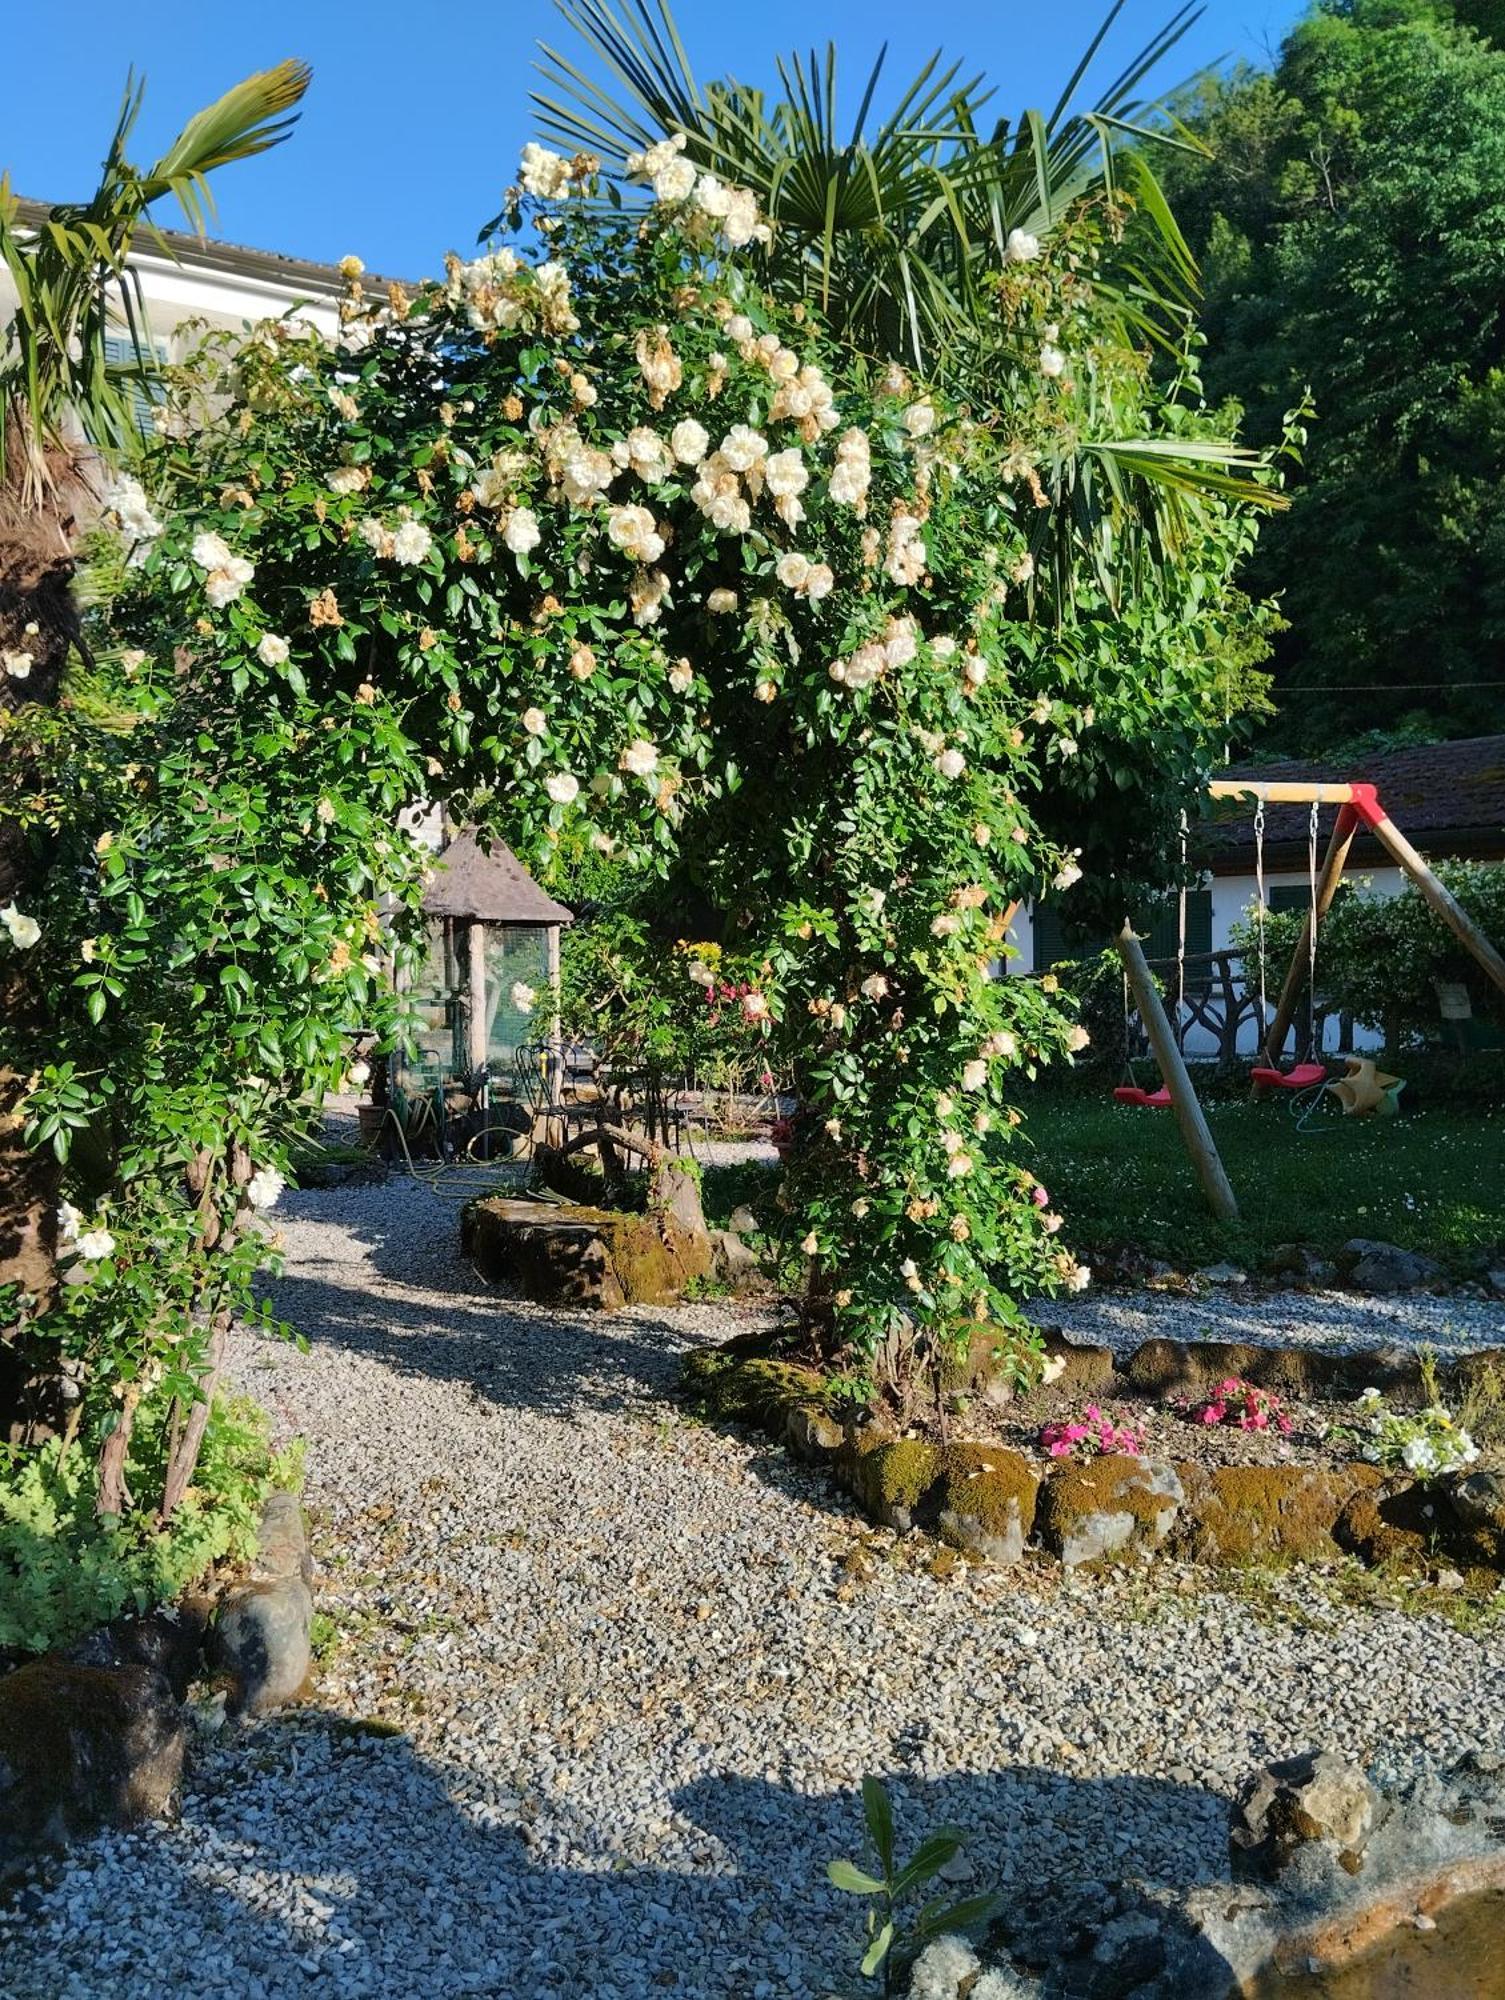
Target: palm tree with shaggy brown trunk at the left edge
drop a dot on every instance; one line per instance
(65, 409)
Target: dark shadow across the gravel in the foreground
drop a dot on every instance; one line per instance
(329, 1861)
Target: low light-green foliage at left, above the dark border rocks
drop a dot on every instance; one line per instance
(65, 1571)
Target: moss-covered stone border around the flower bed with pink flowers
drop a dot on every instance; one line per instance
(992, 1501)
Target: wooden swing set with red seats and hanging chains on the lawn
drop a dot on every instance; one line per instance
(1362, 1091)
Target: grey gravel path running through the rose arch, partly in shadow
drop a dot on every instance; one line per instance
(639, 1671)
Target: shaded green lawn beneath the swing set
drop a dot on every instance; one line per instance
(1432, 1181)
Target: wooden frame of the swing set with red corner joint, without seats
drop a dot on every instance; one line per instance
(1358, 807)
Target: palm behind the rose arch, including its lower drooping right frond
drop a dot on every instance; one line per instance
(896, 231)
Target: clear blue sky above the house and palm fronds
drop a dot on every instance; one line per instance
(417, 113)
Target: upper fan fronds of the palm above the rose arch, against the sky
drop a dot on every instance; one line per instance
(892, 227)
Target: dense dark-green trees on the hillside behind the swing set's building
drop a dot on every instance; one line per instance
(1352, 231)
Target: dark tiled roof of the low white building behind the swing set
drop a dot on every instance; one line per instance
(1444, 797)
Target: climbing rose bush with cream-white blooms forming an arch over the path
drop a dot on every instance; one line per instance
(599, 545)
